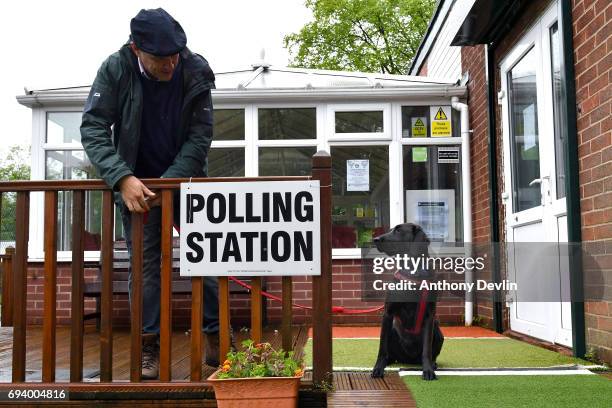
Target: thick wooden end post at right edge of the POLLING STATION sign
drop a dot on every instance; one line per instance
(322, 285)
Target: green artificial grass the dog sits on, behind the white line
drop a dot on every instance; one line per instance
(455, 353)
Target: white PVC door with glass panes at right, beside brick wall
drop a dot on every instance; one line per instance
(534, 194)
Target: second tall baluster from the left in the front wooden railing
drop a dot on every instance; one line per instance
(50, 289)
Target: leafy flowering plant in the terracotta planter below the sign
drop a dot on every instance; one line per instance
(260, 360)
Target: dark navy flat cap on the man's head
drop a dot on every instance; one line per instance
(156, 32)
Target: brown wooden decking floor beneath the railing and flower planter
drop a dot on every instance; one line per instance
(350, 389)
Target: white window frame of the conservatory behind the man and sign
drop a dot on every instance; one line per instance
(325, 138)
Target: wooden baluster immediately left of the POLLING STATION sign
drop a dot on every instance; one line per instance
(165, 318)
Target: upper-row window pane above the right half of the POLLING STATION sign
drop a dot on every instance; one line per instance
(287, 123)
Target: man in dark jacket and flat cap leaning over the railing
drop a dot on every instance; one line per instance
(156, 95)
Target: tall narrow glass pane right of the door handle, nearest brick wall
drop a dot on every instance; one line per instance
(559, 111)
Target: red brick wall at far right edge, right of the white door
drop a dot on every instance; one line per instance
(592, 26)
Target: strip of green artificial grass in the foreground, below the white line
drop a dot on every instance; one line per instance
(511, 391)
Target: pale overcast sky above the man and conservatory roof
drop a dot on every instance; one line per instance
(61, 43)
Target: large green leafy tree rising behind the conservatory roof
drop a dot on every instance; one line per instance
(360, 35)
